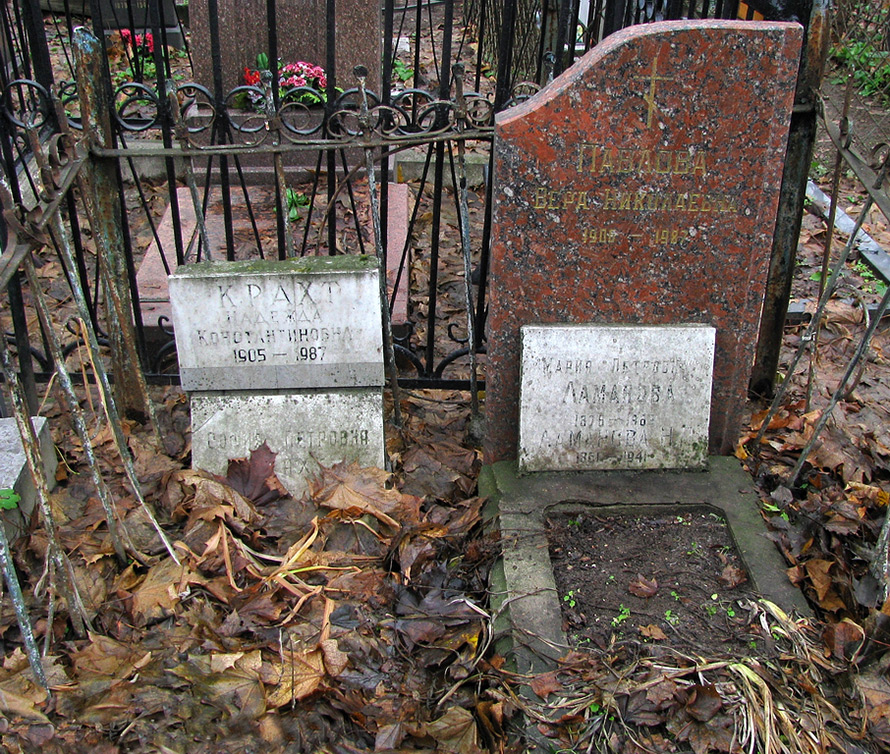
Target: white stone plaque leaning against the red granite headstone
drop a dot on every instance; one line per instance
(615, 396)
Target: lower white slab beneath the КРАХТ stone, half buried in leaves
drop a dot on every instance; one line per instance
(304, 428)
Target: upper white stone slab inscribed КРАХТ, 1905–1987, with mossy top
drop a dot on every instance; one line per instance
(268, 325)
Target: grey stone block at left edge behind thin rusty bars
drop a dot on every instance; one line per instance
(14, 473)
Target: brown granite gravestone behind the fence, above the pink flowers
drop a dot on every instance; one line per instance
(301, 30)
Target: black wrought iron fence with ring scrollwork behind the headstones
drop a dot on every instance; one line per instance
(285, 148)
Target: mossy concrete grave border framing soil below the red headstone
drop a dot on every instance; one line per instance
(532, 618)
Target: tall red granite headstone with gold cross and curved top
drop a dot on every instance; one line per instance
(641, 187)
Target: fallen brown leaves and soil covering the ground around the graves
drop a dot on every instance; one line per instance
(358, 619)
